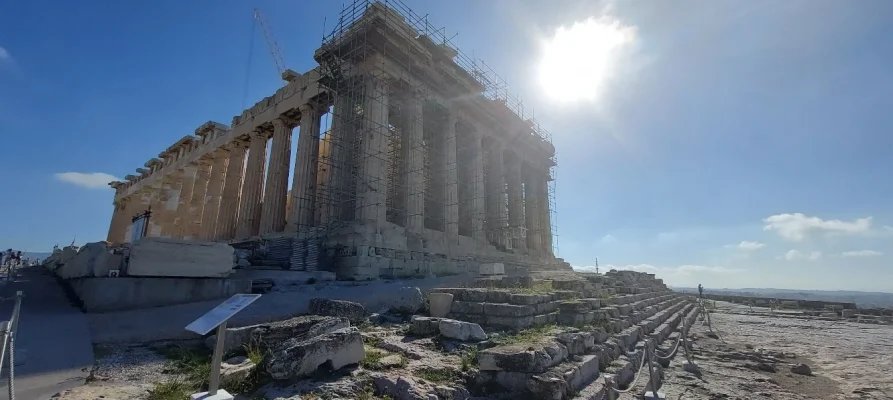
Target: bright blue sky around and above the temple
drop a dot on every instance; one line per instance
(729, 143)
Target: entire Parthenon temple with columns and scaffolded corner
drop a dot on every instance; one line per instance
(412, 159)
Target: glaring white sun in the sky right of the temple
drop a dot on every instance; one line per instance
(577, 60)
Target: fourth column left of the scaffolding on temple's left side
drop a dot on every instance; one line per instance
(229, 202)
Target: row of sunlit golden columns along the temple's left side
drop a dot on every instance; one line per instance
(225, 194)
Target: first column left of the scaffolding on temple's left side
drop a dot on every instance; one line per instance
(303, 187)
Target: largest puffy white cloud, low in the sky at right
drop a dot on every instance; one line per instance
(797, 226)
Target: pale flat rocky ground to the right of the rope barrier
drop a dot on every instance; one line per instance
(755, 351)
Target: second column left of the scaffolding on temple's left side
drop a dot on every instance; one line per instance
(276, 190)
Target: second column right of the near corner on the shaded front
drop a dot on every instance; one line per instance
(413, 151)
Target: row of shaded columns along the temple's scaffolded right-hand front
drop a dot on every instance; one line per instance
(493, 194)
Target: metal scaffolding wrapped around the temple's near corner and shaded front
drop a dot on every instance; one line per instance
(385, 155)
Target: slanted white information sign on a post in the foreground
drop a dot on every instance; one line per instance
(216, 318)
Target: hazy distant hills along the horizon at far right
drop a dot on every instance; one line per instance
(862, 299)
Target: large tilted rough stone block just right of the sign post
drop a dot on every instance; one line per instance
(298, 358)
